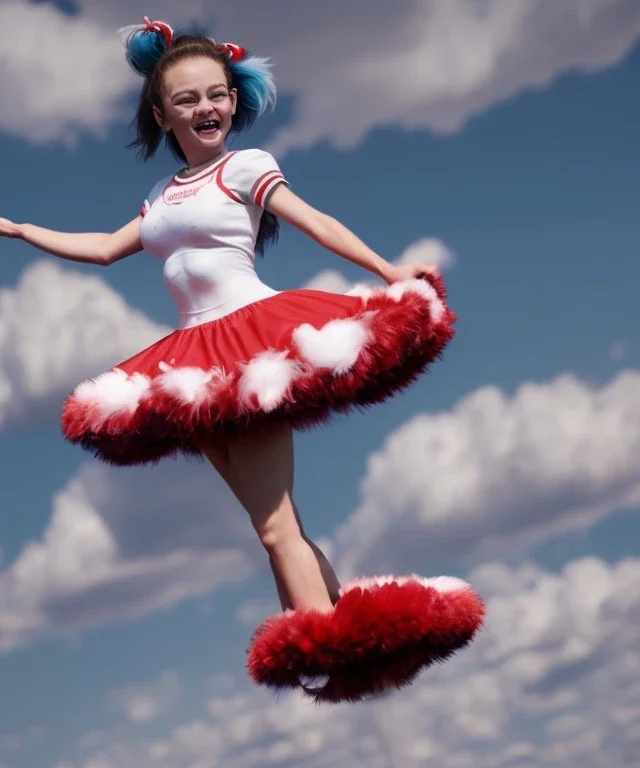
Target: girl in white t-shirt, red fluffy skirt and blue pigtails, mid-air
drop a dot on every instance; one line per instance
(248, 364)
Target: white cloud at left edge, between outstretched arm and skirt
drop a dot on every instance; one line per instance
(58, 327)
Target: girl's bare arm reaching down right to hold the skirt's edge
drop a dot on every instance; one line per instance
(334, 236)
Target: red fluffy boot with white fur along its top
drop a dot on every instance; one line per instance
(381, 633)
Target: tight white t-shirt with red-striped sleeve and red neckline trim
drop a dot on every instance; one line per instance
(204, 228)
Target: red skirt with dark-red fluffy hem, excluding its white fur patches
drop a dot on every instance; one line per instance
(404, 342)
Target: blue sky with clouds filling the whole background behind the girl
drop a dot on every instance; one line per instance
(513, 463)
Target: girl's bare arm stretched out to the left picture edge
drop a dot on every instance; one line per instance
(86, 247)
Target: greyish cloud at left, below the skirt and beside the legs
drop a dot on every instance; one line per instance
(124, 543)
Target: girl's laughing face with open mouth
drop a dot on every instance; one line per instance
(197, 105)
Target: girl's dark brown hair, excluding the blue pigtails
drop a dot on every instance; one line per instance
(149, 134)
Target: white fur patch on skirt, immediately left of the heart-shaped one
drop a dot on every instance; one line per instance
(268, 377)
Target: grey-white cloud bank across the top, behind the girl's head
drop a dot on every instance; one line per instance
(431, 64)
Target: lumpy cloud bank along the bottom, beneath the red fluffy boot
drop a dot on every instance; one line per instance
(550, 682)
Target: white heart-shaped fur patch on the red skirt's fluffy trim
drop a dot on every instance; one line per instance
(336, 345)
